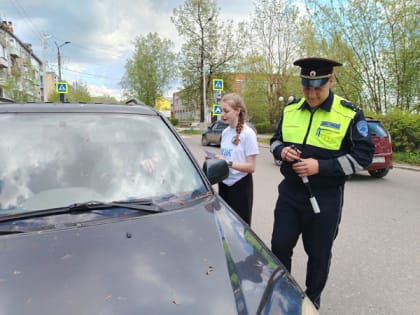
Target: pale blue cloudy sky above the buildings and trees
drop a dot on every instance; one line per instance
(100, 32)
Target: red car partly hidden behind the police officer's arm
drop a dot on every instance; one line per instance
(382, 158)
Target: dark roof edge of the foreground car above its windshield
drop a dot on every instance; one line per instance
(76, 108)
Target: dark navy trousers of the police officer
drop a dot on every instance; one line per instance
(293, 217)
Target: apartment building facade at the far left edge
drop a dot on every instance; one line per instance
(21, 71)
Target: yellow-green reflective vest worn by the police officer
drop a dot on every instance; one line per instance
(321, 128)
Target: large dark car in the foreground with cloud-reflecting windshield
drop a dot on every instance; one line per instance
(103, 210)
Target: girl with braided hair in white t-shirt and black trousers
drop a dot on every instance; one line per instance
(239, 147)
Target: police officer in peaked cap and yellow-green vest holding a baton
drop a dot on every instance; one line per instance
(322, 138)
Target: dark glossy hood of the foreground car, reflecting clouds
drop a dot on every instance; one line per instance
(169, 263)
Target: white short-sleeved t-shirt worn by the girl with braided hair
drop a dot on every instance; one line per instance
(247, 145)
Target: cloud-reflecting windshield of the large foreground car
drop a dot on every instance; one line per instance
(53, 160)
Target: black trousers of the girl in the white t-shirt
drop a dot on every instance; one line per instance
(240, 197)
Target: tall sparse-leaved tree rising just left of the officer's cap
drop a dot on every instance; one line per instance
(274, 46)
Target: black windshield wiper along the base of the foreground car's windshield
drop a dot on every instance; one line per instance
(145, 205)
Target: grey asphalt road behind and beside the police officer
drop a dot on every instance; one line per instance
(375, 269)
